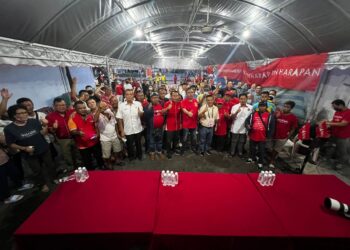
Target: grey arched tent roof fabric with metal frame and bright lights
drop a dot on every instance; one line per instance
(107, 27)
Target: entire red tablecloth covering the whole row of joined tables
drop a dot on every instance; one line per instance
(123, 210)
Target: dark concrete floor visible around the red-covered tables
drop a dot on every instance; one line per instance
(11, 216)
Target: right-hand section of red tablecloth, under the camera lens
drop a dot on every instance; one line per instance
(297, 201)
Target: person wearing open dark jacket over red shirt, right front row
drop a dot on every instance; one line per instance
(260, 125)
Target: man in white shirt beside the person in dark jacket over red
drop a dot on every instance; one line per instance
(239, 114)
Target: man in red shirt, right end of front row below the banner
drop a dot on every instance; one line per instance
(286, 124)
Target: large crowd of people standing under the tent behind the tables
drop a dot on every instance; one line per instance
(106, 125)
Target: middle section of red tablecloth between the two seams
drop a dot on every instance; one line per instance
(226, 207)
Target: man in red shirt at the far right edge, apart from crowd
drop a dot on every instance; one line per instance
(341, 133)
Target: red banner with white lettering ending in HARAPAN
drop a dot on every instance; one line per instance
(296, 72)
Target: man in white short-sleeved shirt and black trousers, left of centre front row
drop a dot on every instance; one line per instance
(129, 122)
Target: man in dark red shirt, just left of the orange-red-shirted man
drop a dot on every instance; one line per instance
(58, 125)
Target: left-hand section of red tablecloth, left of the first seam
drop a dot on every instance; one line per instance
(109, 203)
